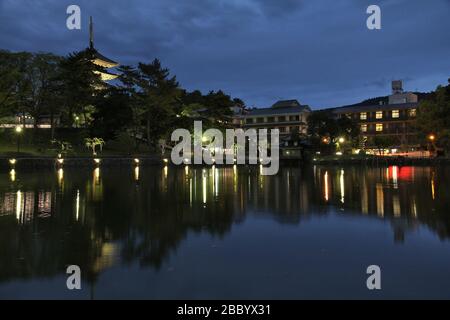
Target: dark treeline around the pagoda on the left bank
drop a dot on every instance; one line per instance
(145, 102)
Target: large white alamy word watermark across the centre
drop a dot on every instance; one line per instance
(208, 147)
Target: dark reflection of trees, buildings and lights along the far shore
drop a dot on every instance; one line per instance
(100, 219)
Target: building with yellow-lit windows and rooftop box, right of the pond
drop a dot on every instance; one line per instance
(393, 119)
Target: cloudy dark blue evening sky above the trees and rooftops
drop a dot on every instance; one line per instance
(319, 52)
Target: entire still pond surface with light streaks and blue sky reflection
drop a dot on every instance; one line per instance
(228, 233)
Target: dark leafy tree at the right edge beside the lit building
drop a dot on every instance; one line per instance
(433, 117)
